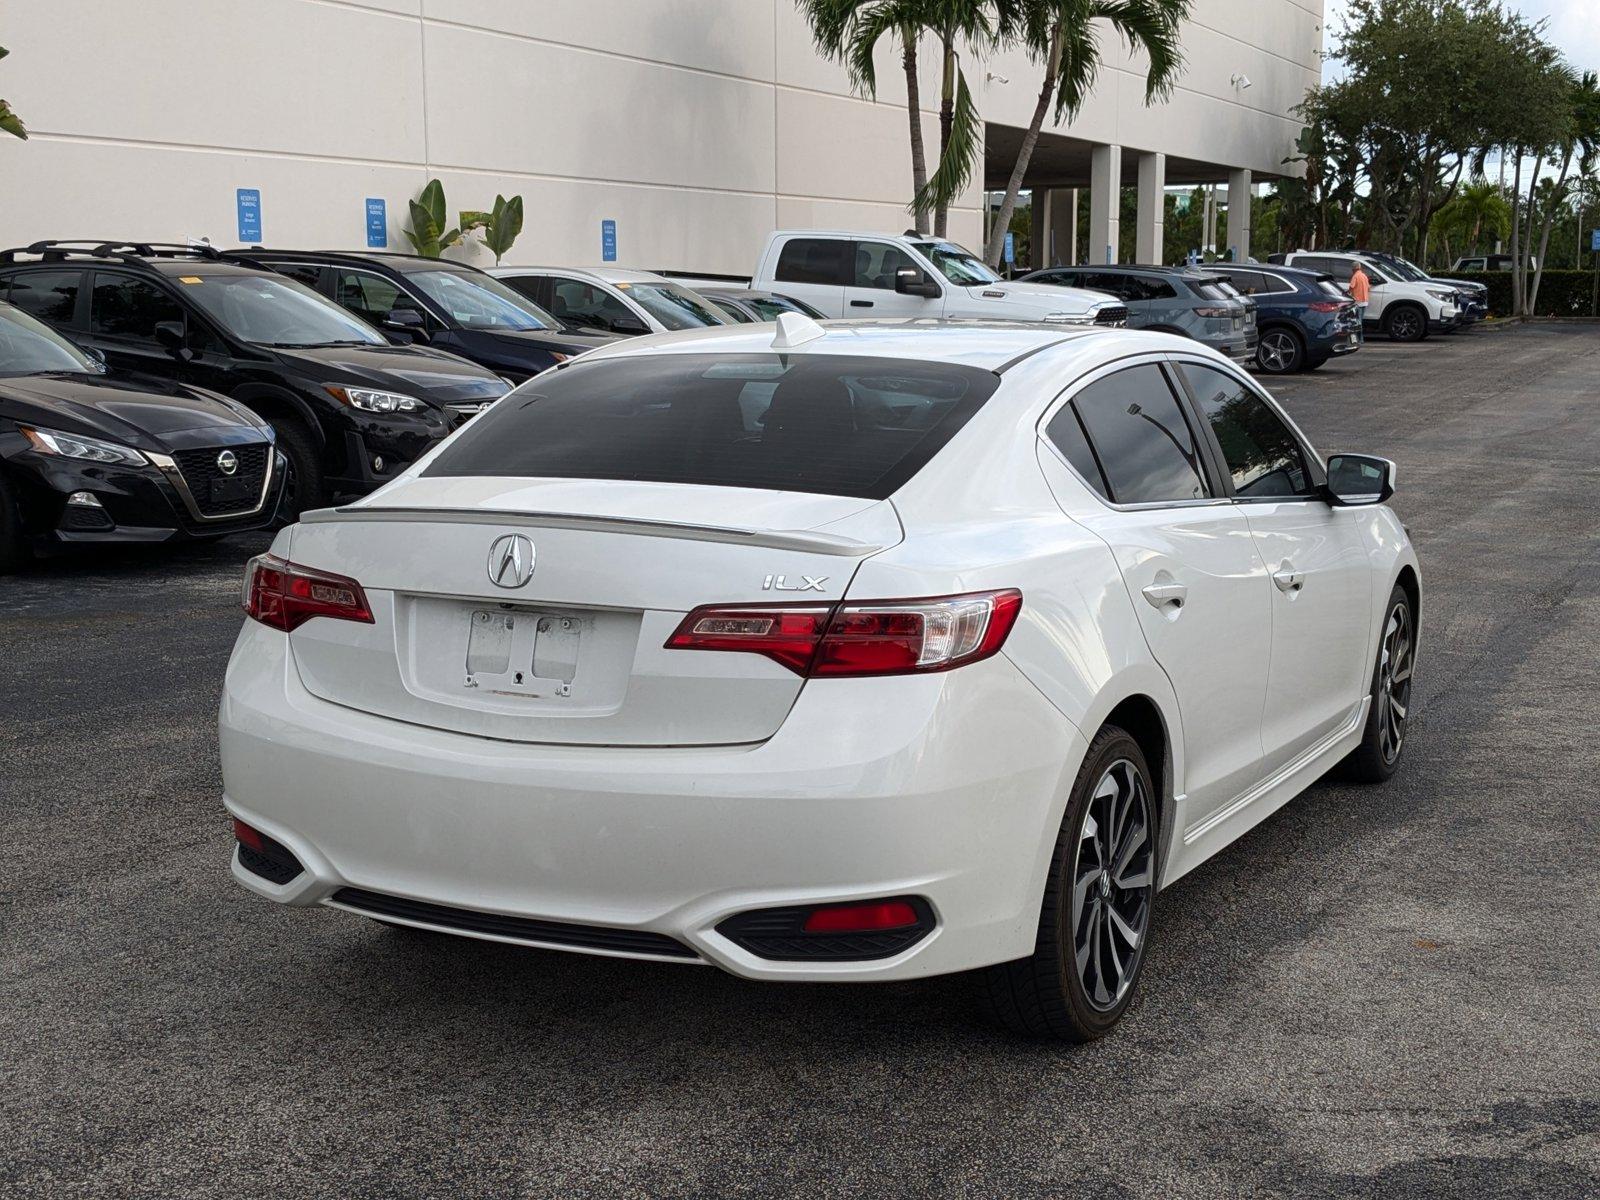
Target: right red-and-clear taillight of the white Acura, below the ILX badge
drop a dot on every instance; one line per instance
(873, 638)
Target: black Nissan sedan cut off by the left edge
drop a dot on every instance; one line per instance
(86, 458)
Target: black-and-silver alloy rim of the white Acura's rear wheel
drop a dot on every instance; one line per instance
(1113, 884)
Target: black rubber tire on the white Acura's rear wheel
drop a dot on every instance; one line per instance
(1047, 994)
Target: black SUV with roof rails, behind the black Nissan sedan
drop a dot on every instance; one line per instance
(350, 409)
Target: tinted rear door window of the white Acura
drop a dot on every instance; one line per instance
(1142, 439)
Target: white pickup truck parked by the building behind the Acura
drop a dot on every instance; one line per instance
(847, 274)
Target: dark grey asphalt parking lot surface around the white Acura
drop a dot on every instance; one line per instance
(1378, 993)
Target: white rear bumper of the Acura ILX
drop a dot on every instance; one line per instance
(945, 788)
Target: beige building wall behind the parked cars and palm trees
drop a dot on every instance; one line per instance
(697, 126)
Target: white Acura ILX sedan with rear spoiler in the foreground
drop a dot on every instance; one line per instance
(852, 652)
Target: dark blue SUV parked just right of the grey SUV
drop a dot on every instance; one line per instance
(1305, 318)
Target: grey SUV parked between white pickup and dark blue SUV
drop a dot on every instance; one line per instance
(1170, 300)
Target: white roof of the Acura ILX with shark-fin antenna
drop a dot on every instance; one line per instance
(986, 345)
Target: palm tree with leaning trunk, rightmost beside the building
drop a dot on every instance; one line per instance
(1063, 36)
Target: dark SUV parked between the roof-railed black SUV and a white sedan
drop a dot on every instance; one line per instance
(450, 306)
